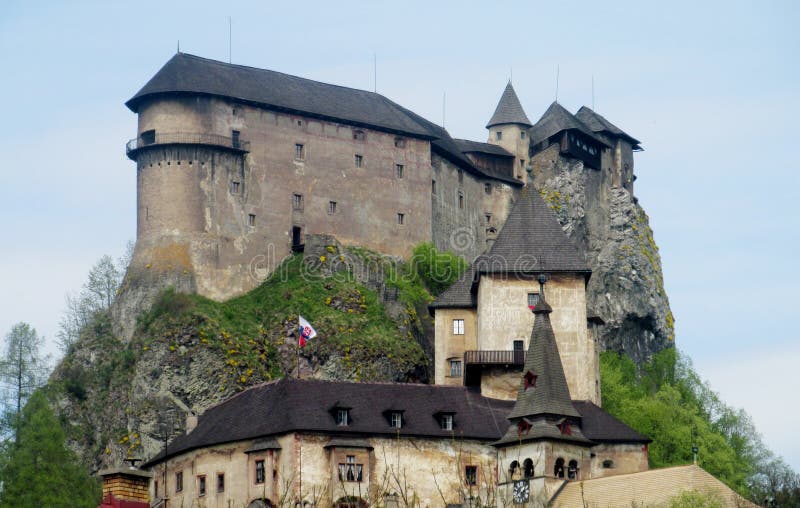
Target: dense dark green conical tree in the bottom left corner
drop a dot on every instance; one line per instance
(41, 470)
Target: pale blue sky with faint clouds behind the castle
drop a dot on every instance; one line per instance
(712, 89)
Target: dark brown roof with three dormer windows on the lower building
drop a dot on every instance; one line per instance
(291, 405)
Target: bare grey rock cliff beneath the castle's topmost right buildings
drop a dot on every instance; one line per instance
(626, 289)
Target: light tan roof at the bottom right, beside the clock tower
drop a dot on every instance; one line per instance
(647, 488)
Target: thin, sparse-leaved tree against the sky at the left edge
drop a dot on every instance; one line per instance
(22, 370)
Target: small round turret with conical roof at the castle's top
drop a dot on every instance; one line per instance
(508, 128)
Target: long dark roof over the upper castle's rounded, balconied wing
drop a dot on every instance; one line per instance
(185, 73)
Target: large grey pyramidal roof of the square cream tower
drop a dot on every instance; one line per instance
(532, 241)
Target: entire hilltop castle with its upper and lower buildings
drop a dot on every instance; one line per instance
(237, 165)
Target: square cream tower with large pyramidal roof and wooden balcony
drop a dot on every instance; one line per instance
(482, 322)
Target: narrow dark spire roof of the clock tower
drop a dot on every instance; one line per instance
(550, 395)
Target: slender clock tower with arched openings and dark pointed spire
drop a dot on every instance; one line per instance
(545, 444)
